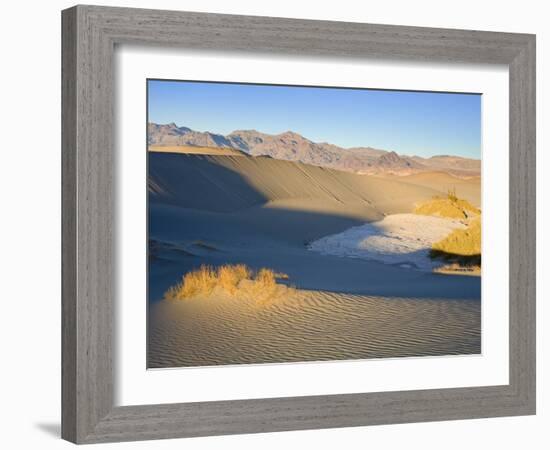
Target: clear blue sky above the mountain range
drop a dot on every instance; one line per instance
(410, 123)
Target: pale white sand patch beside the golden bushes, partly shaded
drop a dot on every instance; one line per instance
(399, 239)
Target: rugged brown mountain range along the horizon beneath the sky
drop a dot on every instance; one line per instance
(292, 146)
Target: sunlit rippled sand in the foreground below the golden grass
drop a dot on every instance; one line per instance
(309, 326)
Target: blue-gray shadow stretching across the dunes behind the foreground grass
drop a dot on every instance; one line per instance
(193, 199)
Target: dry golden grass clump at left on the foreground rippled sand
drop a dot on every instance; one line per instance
(230, 279)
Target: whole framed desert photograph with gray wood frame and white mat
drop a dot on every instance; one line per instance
(278, 224)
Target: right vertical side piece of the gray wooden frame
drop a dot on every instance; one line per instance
(523, 223)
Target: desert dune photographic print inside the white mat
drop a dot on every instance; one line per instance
(299, 223)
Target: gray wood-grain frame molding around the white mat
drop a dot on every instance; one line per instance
(89, 37)
